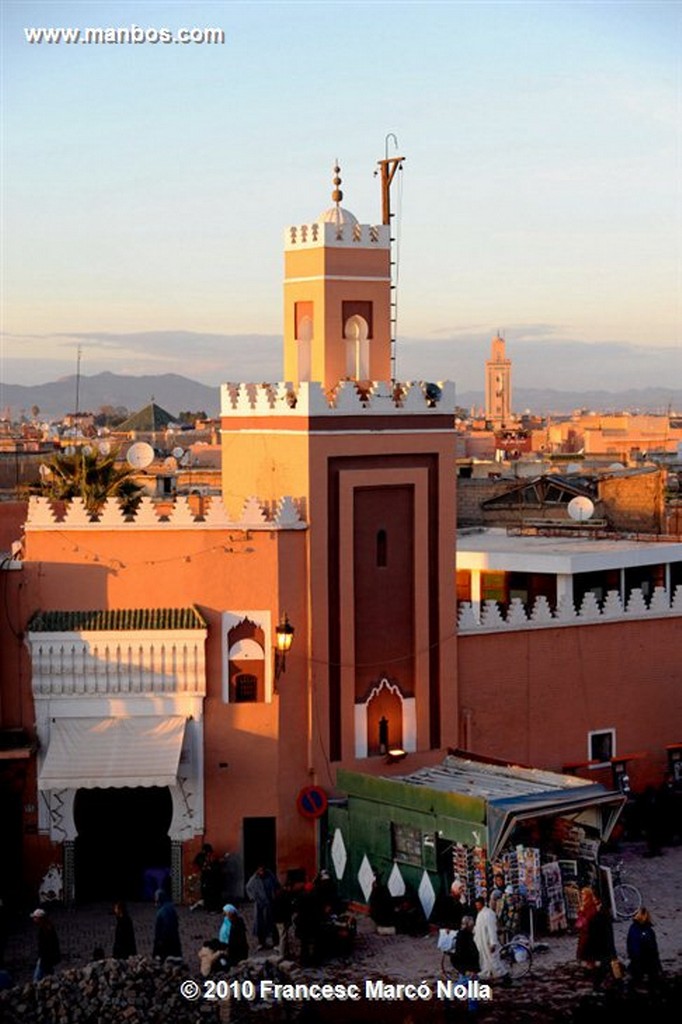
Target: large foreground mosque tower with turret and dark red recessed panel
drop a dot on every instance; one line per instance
(367, 465)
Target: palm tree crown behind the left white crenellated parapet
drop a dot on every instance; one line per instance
(93, 476)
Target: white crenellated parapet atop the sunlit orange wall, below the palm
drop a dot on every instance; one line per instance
(285, 514)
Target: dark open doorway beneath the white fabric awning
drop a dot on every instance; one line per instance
(122, 850)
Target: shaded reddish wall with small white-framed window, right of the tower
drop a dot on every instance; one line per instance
(534, 696)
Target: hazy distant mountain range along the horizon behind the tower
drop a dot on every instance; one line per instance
(176, 394)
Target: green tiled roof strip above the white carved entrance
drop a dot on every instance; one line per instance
(111, 620)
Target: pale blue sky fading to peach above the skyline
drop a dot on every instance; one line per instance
(147, 188)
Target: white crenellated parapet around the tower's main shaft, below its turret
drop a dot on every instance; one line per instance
(366, 399)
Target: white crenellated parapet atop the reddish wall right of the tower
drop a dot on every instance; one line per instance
(493, 619)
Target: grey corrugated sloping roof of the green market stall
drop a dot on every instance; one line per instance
(513, 795)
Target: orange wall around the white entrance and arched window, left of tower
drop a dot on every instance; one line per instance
(218, 572)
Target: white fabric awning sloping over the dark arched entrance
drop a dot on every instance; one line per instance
(111, 753)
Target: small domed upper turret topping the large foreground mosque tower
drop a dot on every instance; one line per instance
(337, 298)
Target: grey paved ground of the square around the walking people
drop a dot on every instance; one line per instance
(557, 990)
